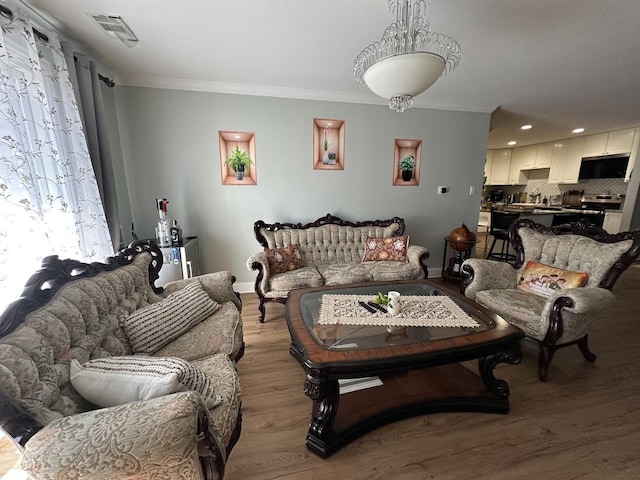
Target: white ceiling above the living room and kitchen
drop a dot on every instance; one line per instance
(554, 64)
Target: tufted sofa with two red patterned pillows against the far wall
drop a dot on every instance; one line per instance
(331, 251)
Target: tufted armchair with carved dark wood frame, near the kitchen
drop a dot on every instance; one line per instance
(559, 283)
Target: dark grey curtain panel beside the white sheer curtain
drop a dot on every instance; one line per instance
(86, 85)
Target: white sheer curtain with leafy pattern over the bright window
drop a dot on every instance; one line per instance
(49, 198)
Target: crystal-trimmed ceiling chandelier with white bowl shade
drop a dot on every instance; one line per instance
(408, 59)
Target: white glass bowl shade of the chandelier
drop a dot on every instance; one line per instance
(408, 74)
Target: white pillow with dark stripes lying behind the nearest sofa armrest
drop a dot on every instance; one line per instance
(111, 381)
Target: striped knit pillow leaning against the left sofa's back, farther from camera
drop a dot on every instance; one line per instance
(152, 327)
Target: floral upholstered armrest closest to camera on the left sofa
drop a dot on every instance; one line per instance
(165, 437)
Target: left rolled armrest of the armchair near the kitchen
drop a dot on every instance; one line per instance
(480, 274)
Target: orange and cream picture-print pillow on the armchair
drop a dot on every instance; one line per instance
(544, 280)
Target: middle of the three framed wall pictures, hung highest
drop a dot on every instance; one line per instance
(328, 144)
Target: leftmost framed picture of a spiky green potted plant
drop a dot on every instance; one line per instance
(238, 158)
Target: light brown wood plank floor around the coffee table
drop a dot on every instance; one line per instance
(582, 424)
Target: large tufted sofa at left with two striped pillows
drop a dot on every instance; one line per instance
(88, 389)
